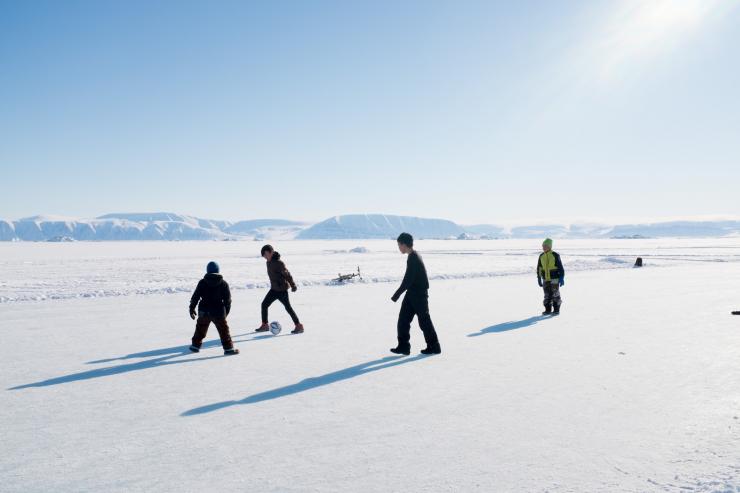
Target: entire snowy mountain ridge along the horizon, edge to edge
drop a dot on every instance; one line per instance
(174, 227)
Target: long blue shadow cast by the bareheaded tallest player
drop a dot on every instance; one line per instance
(310, 383)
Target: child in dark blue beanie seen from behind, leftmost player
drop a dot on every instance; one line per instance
(212, 296)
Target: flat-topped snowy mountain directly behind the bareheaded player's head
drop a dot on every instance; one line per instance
(367, 226)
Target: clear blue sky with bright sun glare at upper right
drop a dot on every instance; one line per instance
(474, 111)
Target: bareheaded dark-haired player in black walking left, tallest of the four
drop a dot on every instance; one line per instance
(416, 302)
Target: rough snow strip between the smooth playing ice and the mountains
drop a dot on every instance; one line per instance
(39, 271)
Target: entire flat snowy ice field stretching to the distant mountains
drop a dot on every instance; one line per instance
(635, 387)
